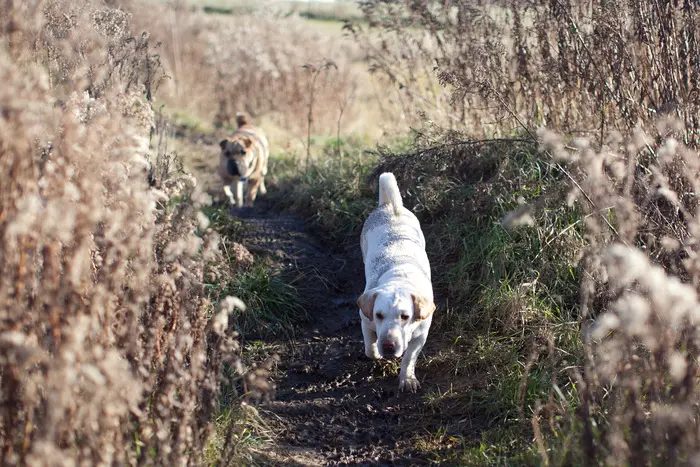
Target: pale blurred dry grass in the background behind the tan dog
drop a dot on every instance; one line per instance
(220, 65)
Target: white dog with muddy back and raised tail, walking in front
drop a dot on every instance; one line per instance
(397, 306)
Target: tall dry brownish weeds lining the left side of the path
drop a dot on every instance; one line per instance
(112, 350)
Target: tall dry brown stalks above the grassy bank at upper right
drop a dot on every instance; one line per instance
(579, 67)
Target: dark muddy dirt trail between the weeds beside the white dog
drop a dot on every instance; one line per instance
(333, 405)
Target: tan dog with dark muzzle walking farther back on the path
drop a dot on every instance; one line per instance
(243, 160)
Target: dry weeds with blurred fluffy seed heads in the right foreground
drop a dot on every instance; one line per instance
(636, 390)
